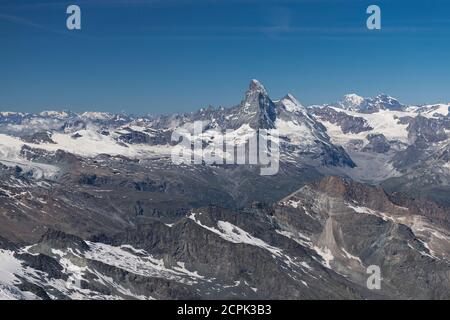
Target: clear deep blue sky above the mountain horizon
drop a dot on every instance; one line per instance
(163, 56)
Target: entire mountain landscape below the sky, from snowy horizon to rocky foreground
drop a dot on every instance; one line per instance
(95, 198)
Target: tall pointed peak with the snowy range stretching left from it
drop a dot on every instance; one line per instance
(304, 141)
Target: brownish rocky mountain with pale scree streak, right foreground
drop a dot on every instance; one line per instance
(372, 226)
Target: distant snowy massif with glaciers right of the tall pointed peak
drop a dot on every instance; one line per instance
(392, 143)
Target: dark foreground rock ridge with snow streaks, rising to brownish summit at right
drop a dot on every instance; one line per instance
(313, 244)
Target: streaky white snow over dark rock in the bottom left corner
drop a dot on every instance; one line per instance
(126, 257)
